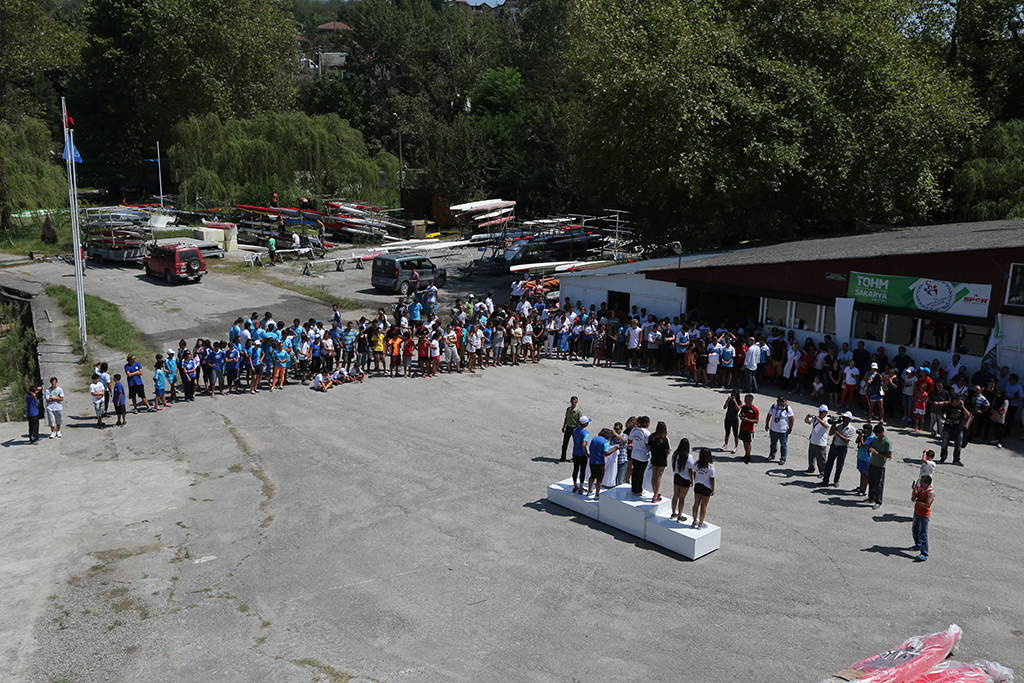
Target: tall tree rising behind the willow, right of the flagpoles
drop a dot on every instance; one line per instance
(152, 64)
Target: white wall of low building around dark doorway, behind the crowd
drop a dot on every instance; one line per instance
(663, 300)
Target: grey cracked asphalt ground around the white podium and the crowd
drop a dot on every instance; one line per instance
(398, 531)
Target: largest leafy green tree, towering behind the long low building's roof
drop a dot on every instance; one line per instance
(720, 122)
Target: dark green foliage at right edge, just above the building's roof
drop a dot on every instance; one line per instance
(991, 184)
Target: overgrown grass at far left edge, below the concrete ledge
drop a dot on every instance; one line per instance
(20, 370)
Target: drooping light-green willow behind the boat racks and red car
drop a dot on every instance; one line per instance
(243, 161)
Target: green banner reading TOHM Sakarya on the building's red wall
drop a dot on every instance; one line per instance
(937, 296)
